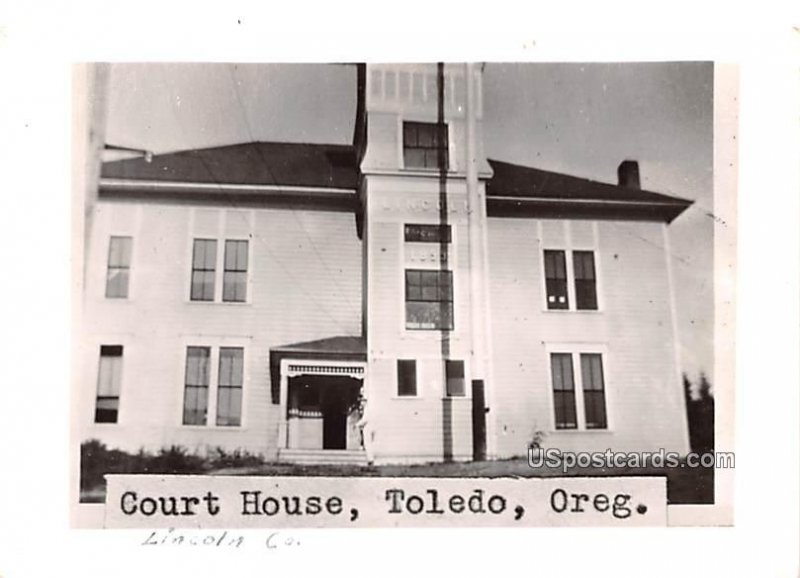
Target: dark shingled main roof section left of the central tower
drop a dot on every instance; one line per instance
(257, 163)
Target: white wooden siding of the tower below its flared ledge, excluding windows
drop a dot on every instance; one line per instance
(428, 427)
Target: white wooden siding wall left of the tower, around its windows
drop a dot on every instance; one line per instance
(304, 283)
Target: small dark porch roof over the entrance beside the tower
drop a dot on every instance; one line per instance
(339, 348)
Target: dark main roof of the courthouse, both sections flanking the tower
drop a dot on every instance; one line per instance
(513, 191)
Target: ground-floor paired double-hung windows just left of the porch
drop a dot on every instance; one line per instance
(199, 384)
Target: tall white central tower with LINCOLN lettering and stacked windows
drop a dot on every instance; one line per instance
(424, 229)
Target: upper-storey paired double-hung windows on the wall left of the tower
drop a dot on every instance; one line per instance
(234, 271)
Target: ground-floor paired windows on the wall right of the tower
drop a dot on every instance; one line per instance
(579, 401)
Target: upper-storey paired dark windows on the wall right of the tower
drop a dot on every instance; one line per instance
(584, 276)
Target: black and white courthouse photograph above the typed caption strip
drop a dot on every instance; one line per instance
(435, 270)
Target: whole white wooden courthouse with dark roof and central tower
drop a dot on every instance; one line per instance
(403, 299)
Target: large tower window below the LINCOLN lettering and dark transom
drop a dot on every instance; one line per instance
(429, 299)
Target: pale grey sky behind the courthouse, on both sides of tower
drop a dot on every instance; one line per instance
(578, 118)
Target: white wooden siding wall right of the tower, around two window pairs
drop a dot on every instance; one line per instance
(633, 329)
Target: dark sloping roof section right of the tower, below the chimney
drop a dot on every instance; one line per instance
(516, 190)
